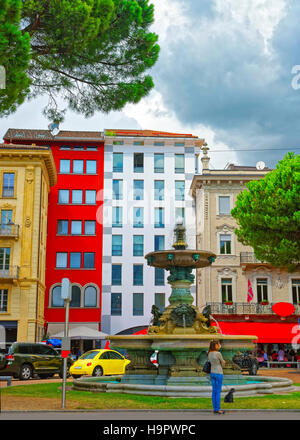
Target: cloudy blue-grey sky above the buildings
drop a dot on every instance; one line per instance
(227, 72)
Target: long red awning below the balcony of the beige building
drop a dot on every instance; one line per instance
(267, 332)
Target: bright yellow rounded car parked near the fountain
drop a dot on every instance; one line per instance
(99, 363)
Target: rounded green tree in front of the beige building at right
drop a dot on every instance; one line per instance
(268, 215)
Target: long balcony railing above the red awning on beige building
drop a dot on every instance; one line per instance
(245, 308)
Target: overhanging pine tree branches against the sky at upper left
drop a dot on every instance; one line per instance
(92, 54)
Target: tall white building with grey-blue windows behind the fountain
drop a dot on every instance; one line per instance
(147, 177)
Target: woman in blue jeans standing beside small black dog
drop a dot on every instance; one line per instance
(216, 374)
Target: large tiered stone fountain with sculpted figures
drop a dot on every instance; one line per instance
(181, 335)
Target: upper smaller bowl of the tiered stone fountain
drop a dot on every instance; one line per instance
(181, 258)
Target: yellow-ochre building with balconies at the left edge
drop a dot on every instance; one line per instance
(26, 174)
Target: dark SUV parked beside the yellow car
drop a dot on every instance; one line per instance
(26, 359)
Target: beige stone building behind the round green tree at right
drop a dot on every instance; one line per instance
(226, 280)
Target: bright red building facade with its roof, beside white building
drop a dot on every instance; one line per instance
(75, 227)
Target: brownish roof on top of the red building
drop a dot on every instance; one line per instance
(45, 135)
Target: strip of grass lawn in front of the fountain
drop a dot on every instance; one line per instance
(51, 392)
